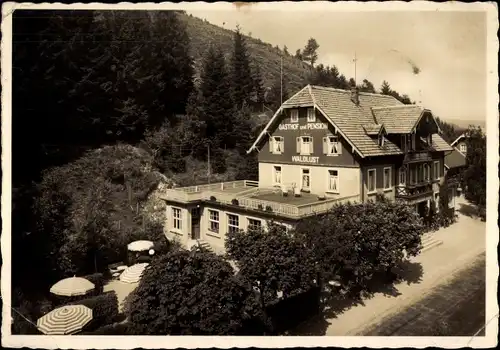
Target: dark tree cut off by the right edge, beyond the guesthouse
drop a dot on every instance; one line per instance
(475, 174)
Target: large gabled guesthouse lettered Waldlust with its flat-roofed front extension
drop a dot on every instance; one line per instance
(322, 147)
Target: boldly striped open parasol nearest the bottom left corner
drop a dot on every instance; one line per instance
(65, 320)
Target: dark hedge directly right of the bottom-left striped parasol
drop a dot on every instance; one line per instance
(104, 309)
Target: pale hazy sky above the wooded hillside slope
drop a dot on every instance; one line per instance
(449, 48)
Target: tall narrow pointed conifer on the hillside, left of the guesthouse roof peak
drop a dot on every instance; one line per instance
(241, 76)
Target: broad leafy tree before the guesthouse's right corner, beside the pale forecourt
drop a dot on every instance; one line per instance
(353, 242)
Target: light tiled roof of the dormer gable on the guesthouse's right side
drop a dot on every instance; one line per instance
(398, 119)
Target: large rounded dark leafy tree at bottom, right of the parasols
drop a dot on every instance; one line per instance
(195, 293)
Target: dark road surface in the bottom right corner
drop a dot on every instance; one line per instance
(454, 309)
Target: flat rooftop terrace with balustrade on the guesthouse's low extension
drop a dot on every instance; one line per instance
(247, 194)
